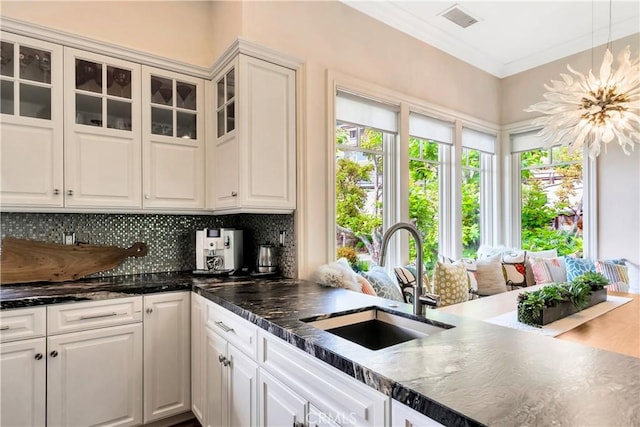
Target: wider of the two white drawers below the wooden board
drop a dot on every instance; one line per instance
(95, 314)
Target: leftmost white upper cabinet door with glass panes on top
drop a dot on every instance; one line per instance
(31, 123)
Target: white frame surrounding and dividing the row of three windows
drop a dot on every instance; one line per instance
(396, 206)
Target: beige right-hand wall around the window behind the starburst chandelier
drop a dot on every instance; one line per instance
(618, 187)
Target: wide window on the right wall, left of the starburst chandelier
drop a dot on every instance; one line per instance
(551, 194)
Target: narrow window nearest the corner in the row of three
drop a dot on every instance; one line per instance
(477, 192)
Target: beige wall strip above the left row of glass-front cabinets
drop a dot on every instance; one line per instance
(181, 30)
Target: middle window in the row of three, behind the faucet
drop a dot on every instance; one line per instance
(429, 171)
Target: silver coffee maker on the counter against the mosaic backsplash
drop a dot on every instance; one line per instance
(218, 250)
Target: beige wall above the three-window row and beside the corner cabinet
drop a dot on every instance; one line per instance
(332, 36)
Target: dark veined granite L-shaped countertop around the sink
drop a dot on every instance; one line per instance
(473, 374)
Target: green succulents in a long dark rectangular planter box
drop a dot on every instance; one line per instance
(553, 302)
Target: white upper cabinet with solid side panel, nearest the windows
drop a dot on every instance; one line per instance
(253, 156)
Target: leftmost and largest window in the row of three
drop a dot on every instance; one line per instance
(365, 138)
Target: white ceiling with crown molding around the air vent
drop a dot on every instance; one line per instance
(511, 36)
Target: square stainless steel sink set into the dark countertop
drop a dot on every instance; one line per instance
(376, 329)
